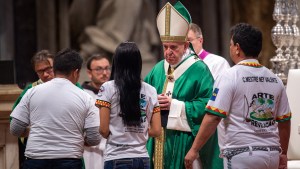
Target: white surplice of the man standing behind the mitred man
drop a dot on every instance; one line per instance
(215, 63)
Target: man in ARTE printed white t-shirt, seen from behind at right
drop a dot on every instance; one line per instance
(250, 105)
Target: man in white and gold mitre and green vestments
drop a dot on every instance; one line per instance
(184, 85)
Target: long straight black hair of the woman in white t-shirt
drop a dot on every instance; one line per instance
(126, 71)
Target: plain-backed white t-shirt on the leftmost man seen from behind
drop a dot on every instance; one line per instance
(57, 112)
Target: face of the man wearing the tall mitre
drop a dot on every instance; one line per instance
(173, 51)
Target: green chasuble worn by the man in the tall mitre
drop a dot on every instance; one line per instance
(194, 88)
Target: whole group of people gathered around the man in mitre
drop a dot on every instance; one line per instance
(191, 111)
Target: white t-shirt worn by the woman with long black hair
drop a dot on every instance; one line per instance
(124, 141)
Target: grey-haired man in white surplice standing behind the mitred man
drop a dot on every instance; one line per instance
(215, 63)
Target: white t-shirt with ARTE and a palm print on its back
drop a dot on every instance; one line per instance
(252, 100)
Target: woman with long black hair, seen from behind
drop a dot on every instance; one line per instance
(129, 111)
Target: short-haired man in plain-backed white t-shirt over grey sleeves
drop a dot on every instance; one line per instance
(56, 114)
